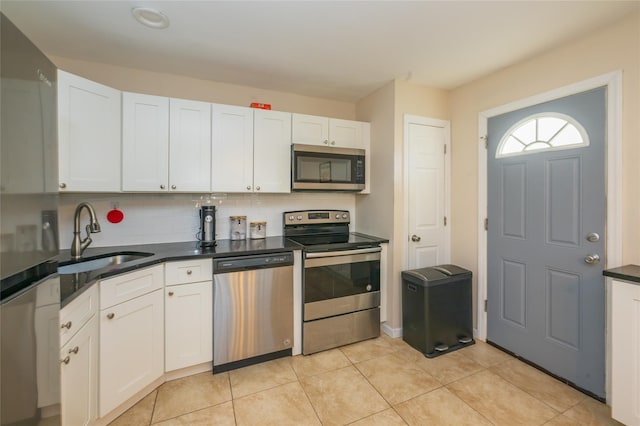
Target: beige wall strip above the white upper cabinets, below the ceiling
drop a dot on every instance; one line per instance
(153, 83)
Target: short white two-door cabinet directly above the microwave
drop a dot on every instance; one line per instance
(316, 130)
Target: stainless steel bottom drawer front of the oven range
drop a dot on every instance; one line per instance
(341, 330)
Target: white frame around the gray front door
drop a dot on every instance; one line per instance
(613, 177)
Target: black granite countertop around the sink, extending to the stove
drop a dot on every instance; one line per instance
(72, 285)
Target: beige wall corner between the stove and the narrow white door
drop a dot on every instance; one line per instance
(382, 212)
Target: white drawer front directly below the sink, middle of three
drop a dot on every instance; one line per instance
(127, 286)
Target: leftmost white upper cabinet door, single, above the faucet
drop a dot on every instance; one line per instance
(88, 135)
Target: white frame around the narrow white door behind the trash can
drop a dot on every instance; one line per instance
(446, 125)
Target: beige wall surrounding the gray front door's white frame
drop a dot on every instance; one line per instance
(614, 48)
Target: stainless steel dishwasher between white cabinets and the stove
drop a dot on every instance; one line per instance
(252, 309)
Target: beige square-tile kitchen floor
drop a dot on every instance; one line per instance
(377, 382)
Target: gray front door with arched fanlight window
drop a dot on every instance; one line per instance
(545, 290)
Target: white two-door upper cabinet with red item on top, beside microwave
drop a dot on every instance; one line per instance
(251, 150)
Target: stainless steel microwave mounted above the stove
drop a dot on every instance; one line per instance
(325, 168)
